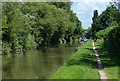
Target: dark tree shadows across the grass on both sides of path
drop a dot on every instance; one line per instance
(88, 59)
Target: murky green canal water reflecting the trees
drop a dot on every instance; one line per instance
(35, 64)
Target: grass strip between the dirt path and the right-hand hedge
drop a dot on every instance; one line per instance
(109, 61)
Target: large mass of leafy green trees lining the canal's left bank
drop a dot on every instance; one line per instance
(26, 25)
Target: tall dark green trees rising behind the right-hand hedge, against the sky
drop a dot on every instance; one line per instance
(108, 18)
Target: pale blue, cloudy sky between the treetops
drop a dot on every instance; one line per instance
(84, 10)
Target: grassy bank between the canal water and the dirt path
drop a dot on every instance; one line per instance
(82, 65)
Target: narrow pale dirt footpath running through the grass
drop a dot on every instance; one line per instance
(100, 67)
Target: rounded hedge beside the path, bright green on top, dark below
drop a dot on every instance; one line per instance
(111, 38)
